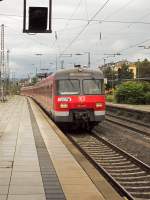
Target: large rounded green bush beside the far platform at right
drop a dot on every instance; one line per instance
(131, 93)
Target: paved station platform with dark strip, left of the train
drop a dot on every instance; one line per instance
(35, 164)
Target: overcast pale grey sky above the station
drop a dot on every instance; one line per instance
(123, 25)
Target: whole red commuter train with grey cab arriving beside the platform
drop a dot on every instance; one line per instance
(71, 96)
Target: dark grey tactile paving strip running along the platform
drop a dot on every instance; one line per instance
(52, 187)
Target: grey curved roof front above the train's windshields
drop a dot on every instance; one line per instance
(78, 72)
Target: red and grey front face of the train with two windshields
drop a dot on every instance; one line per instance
(79, 97)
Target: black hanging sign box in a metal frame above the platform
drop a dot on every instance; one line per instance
(39, 19)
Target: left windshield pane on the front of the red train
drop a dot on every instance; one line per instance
(68, 87)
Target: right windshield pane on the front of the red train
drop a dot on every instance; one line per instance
(92, 86)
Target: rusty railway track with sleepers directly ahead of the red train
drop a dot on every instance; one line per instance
(126, 173)
